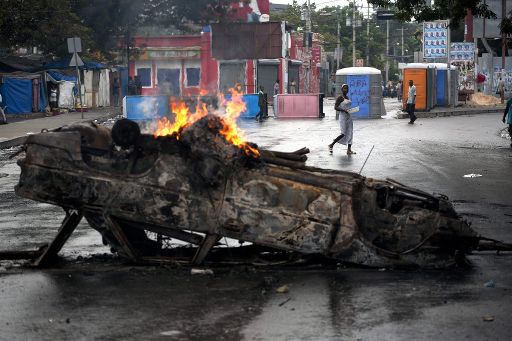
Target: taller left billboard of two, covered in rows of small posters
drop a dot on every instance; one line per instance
(435, 39)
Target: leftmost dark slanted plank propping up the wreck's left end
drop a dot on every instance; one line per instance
(67, 227)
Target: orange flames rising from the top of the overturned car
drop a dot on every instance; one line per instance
(184, 118)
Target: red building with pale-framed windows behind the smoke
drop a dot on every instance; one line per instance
(183, 65)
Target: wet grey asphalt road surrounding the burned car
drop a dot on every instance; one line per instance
(100, 298)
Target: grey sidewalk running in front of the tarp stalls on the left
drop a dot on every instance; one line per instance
(15, 133)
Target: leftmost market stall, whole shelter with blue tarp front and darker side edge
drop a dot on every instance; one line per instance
(23, 92)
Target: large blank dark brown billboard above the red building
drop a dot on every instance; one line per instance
(247, 40)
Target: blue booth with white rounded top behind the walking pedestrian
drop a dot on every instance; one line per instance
(365, 90)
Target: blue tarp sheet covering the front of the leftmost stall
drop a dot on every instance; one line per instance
(17, 95)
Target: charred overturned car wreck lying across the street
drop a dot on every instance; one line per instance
(141, 192)
